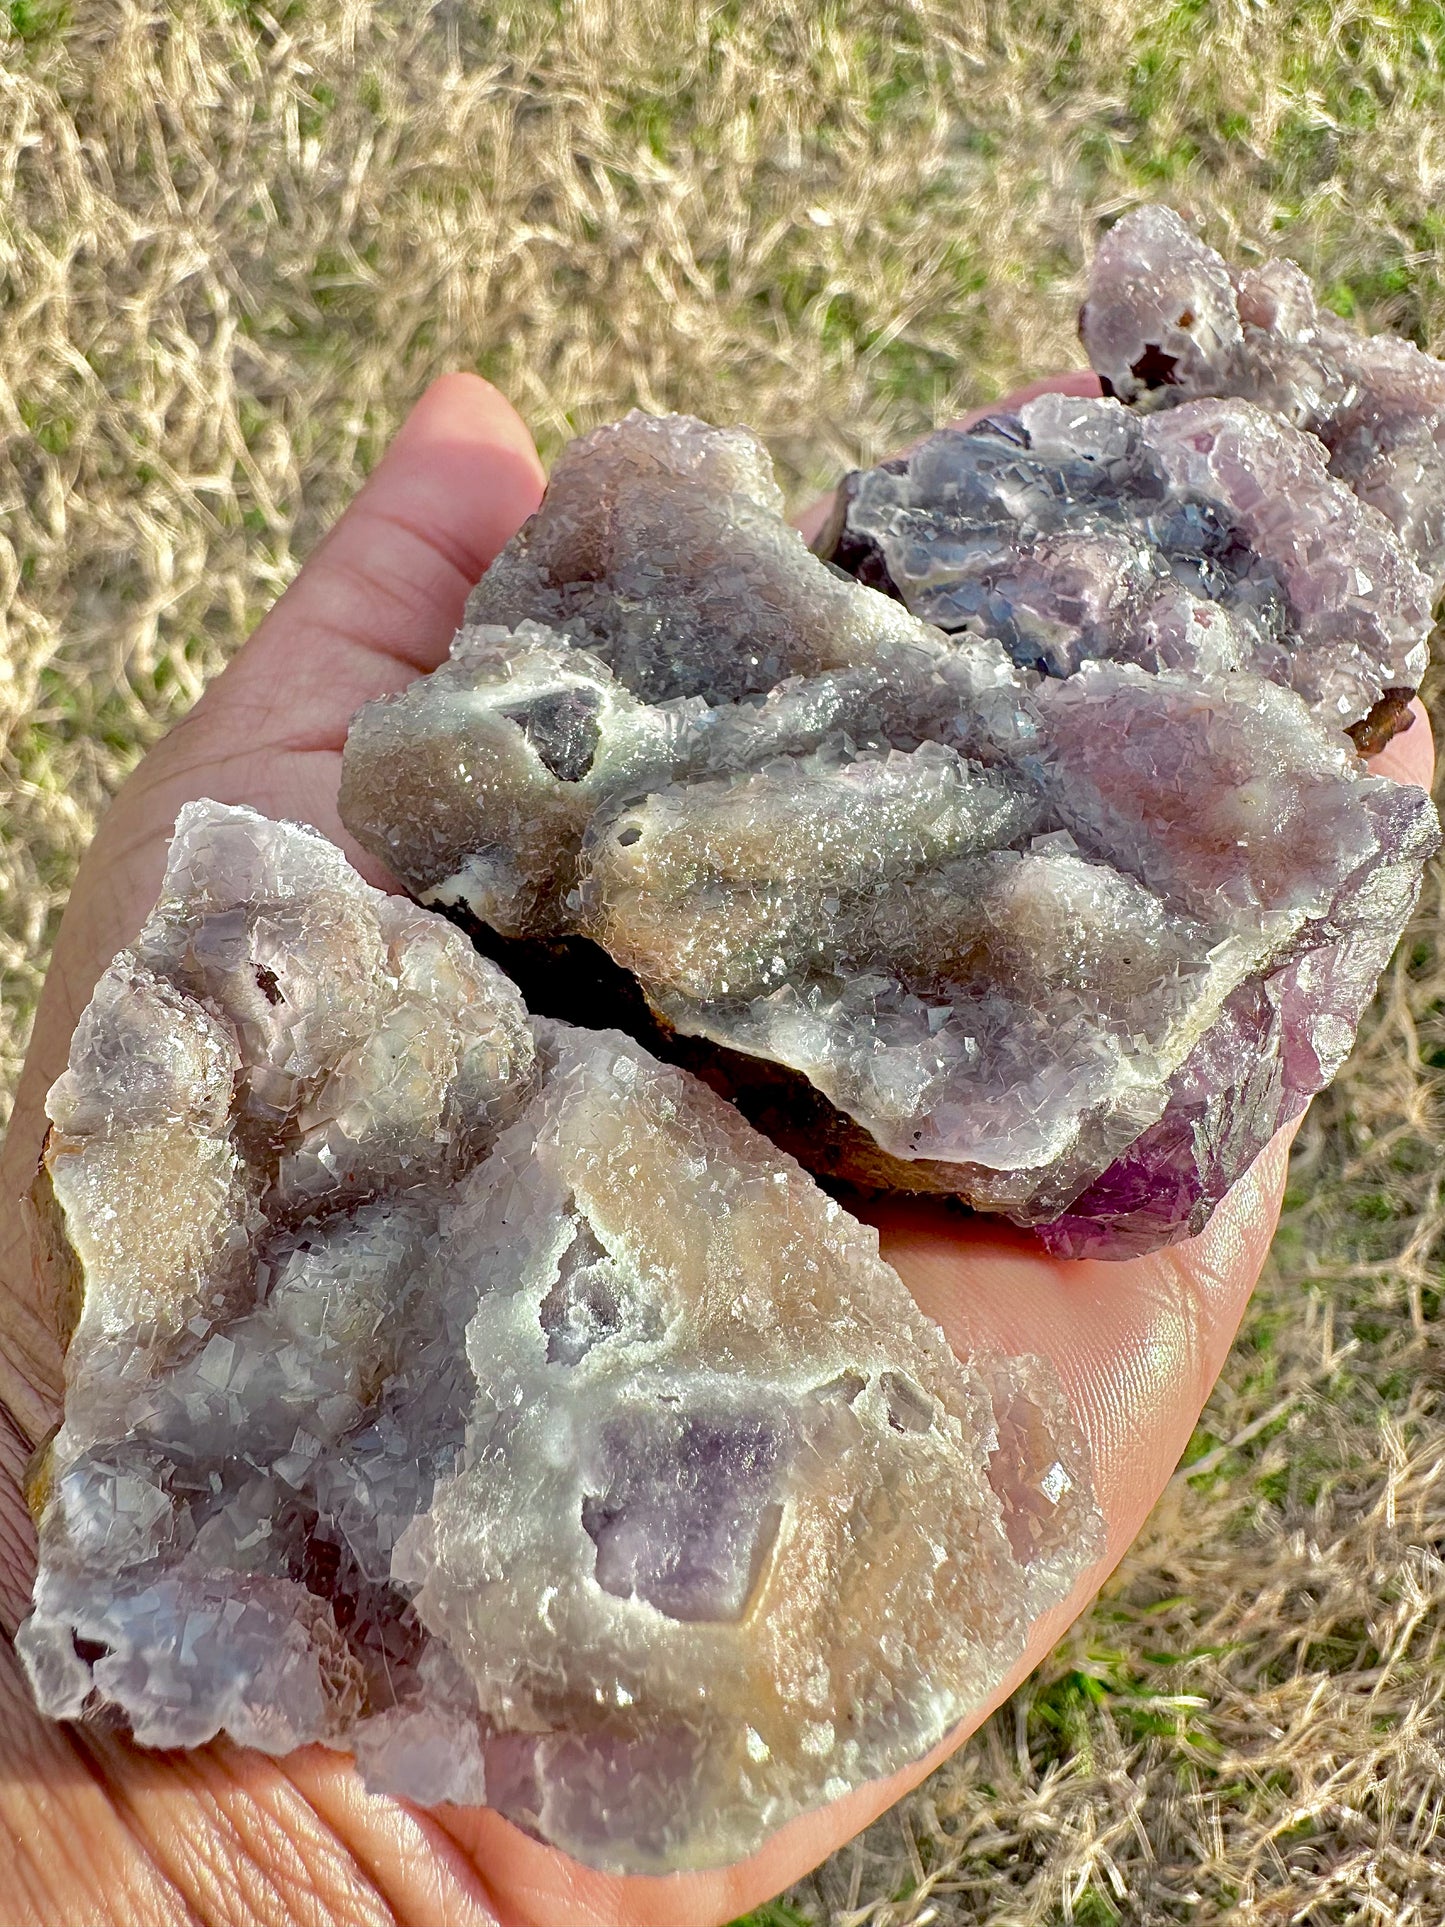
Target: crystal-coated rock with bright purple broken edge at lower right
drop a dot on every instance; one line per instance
(1070, 947)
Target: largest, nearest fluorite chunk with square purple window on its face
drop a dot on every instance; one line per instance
(494, 1402)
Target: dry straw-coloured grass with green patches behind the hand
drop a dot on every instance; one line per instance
(236, 244)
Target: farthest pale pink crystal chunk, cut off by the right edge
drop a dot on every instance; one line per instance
(1167, 319)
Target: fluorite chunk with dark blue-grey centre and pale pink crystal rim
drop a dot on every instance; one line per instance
(1203, 541)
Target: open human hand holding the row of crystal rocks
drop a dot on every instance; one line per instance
(99, 1830)
